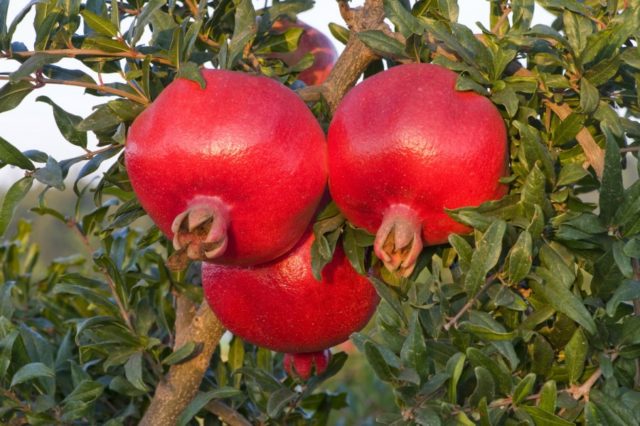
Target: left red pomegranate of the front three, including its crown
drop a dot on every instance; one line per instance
(234, 171)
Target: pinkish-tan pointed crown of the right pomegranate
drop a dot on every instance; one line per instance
(398, 241)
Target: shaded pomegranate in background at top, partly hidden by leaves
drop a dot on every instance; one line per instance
(311, 41)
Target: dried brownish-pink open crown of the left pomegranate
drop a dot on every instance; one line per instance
(200, 232)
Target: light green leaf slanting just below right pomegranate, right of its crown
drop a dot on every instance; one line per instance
(485, 256)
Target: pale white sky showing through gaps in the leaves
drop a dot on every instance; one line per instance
(31, 125)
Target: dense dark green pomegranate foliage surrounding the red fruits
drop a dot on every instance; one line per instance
(532, 318)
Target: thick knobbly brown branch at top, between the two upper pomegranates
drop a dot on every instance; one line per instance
(356, 56)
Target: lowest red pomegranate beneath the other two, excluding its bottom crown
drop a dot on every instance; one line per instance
(282, 307)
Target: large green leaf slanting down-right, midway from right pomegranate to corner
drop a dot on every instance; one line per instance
(562, 299)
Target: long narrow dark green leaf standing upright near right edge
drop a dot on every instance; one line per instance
(611, 189)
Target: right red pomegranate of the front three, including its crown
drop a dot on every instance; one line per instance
(403, 146)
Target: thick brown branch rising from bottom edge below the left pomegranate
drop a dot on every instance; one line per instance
(180, 385)
